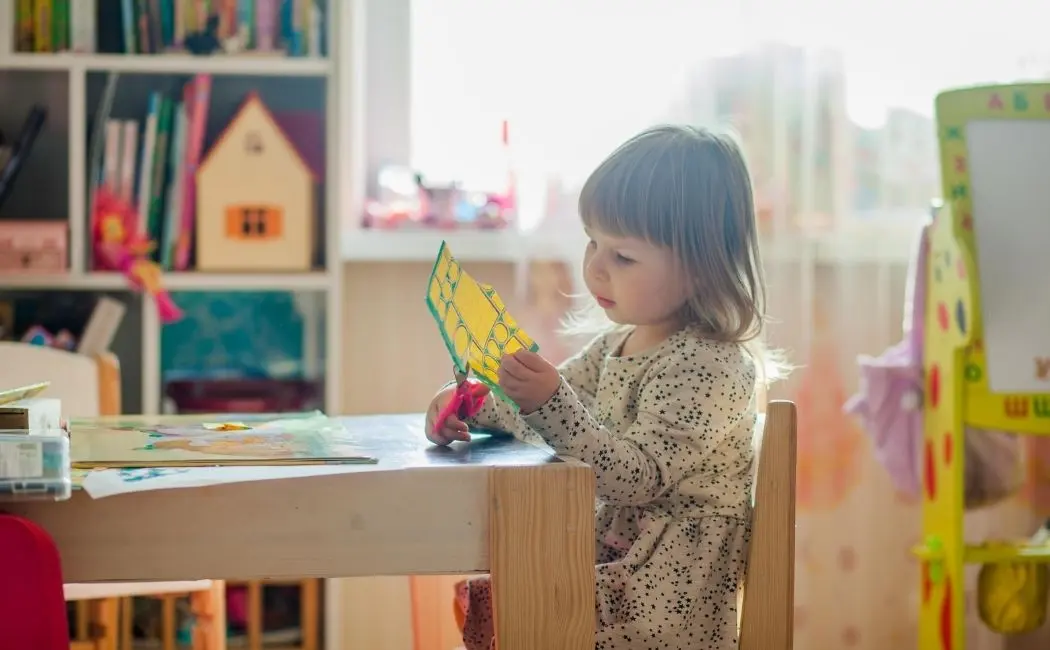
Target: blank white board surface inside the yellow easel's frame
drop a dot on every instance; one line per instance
(1010, 171)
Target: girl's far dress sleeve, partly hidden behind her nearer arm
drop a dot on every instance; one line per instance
(581, 372)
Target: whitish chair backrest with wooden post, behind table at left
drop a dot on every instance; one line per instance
(88, 387)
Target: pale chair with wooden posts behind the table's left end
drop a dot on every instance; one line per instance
(90, 387)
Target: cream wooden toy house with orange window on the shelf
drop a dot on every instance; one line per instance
(256, 198)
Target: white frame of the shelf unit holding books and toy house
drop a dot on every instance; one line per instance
(324, 284)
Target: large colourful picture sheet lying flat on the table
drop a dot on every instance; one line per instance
(183, 442)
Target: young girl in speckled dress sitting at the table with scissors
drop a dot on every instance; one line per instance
(662, 405)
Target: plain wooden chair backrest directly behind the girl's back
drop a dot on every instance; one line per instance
(767, 621)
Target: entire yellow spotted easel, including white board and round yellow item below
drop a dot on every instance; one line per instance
(976, 375)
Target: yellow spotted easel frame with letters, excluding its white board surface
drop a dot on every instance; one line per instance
(958, 385)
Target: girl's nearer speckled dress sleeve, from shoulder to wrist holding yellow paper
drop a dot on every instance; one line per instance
(685, 409)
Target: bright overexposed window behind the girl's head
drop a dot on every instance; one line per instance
(838, 124)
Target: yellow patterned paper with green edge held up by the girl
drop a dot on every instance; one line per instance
(473, 320)
